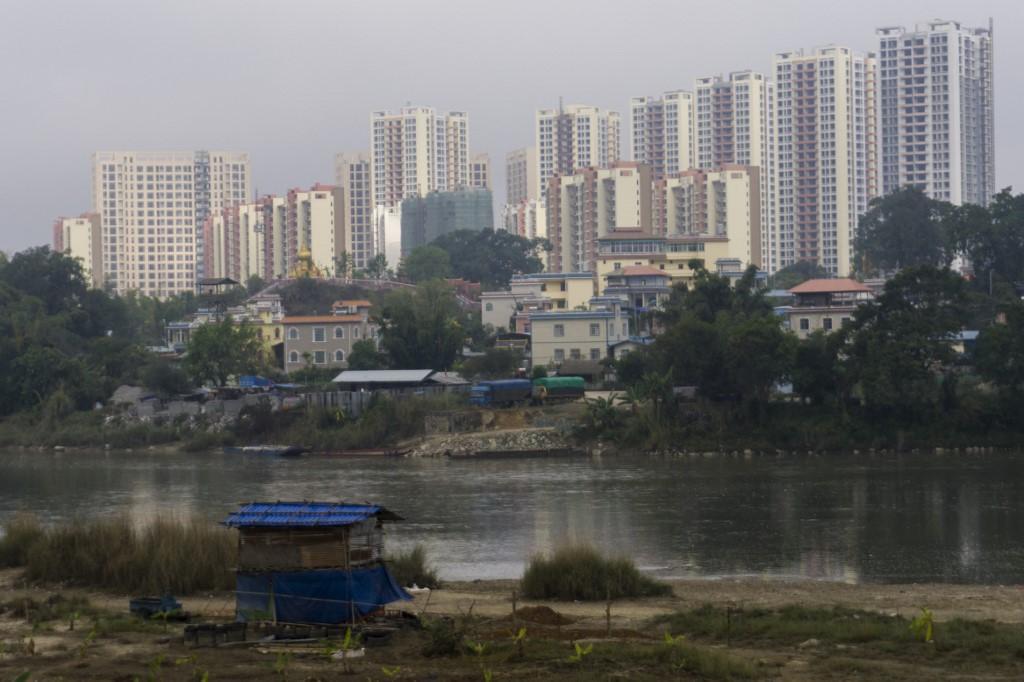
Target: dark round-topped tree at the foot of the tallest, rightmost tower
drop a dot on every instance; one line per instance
(902, 230)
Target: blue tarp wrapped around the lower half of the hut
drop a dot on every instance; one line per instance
(323, 598)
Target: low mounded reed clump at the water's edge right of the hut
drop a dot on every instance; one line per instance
(582, 573)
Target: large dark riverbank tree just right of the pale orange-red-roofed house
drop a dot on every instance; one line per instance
(899, 350)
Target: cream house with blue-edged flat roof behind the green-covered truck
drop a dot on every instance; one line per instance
(561, 335)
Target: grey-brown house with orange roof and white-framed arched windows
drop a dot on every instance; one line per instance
(326, 342)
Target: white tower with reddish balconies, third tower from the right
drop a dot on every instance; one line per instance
(735, 124)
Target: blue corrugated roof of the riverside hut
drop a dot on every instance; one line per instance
(305, 515)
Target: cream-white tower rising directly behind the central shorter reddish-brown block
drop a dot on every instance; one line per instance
(573, 138)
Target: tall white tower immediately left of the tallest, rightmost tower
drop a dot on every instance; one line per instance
(826, 155)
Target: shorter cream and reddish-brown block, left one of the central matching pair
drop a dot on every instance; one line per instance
(592, 204)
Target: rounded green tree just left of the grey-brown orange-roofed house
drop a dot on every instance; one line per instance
(221, 351)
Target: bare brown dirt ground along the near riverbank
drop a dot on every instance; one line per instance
(54, 652)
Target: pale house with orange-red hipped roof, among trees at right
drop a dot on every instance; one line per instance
(826, 305)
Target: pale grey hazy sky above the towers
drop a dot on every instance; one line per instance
(293, 82)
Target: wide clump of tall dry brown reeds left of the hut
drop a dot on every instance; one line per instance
(166, 556)
